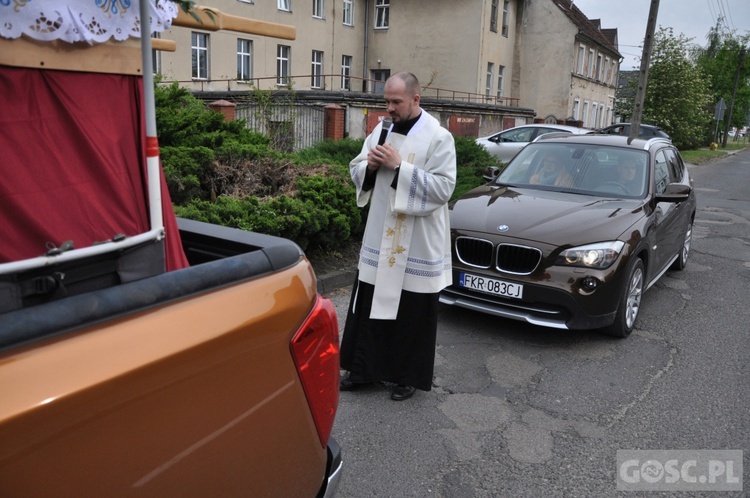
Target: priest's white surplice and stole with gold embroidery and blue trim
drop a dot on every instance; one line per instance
(406, 245)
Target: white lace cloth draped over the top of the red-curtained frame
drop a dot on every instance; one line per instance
(92, 21)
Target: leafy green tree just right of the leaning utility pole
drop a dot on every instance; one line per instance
(678, 97)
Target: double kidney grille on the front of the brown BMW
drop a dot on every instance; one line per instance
(519, 260)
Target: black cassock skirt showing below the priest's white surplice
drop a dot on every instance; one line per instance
(401, 351)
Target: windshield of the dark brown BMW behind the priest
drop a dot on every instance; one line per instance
(604, 171)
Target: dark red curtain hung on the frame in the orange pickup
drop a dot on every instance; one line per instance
(73, 162)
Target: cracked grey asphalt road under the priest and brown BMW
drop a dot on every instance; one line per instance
(518, 410)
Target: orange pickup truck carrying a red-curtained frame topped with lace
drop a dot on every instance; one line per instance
(141, 355)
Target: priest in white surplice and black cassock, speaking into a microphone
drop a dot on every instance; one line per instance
(407, 172)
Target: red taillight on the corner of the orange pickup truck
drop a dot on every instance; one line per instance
(315, 349)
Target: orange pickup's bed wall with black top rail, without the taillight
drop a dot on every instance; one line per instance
(180, 384)
